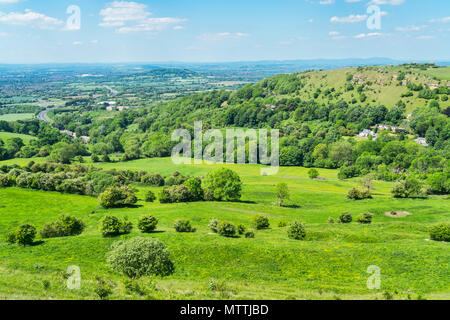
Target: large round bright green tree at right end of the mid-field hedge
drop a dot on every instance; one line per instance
(222, 185)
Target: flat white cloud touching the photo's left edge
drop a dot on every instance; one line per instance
(30, 18)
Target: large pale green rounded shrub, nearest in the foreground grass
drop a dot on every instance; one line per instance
(140, 257)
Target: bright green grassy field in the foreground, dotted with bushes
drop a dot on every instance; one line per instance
(331, 263)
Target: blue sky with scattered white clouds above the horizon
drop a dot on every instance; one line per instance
(37, 31)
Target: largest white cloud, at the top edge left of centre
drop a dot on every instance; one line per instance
(131, 17)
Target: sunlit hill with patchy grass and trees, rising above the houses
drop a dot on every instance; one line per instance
(274, 100)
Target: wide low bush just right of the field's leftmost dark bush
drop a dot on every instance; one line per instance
(65, 226)
